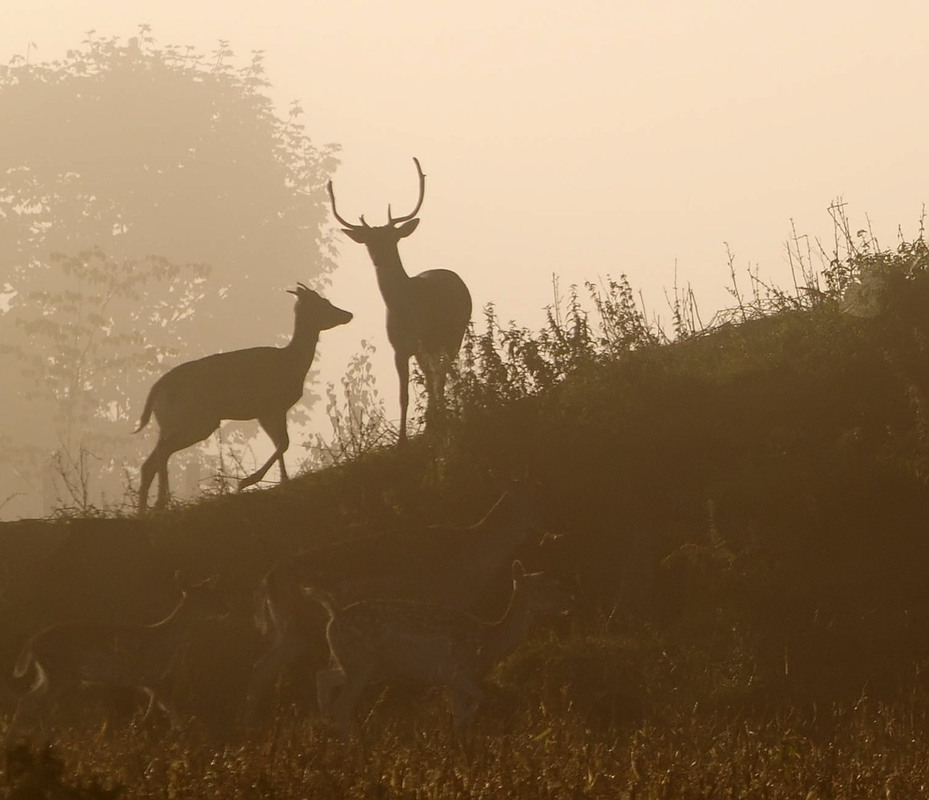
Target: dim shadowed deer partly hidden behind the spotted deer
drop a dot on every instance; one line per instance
(446, 565)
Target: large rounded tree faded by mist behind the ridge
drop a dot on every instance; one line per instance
(153, 204)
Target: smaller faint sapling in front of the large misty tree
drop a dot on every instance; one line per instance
(74, 346)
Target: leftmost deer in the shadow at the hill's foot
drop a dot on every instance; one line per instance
(67, 655)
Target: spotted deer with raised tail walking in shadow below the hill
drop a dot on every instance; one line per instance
(376, 640)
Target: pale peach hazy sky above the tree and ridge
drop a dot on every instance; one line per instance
(586, 138)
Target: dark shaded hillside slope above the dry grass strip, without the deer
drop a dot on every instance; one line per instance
(744, 515)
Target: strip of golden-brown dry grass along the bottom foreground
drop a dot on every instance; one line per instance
(872, 750)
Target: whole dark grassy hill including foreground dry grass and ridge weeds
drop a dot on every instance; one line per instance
(743, 512)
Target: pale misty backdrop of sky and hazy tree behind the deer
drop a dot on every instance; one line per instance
(164, 179)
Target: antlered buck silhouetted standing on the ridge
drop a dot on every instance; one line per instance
(427, 314)
